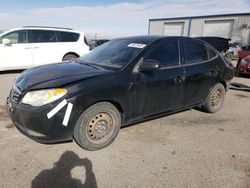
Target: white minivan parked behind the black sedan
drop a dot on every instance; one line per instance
(32, 46)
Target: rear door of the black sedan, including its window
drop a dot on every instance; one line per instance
(200, 68)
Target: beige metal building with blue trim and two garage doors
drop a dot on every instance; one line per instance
(232, 26)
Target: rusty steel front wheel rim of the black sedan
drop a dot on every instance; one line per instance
(100, 127)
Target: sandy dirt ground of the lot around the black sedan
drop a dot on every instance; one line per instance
(188, 149)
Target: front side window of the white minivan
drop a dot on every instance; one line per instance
(17, 37)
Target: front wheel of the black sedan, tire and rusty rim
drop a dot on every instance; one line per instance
(97, 127)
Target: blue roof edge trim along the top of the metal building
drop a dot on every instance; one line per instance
(204, 16)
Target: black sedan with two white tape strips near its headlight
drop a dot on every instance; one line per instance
(122, 82)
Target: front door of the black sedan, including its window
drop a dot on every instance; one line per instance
(160, 90)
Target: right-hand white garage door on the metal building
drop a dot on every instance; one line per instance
(218, 28)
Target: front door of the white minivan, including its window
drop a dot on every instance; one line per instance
(17, 54)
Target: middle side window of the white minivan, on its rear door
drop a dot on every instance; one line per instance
(43, 36)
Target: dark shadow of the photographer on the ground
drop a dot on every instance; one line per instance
(60, 174)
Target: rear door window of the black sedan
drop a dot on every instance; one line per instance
(194, 51)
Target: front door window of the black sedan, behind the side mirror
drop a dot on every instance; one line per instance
(166, 53)
